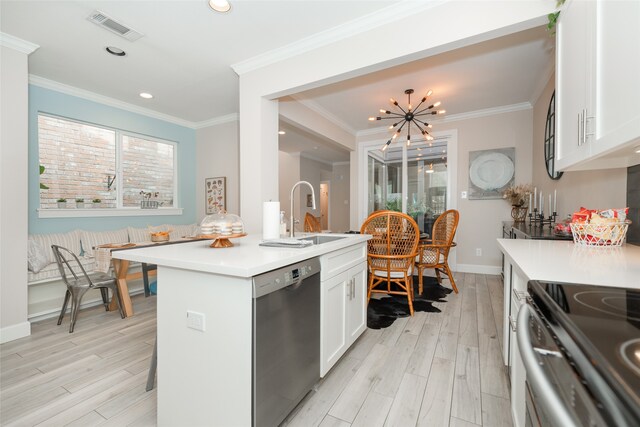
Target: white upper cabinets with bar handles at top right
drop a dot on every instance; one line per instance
(597, 84)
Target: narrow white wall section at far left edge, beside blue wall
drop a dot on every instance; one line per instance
(13, 193)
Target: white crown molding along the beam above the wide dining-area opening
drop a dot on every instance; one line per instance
(348, 29)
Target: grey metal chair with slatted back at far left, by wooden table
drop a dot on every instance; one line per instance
(79, 282)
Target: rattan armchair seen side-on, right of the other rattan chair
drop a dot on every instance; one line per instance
(434, 253)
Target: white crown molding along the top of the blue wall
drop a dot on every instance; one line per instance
(105, 100)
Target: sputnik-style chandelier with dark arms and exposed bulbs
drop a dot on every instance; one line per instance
(409, 116)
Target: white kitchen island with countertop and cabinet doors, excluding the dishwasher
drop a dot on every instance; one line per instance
(205, 376)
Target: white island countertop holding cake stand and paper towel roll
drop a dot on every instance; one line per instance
(244, 259)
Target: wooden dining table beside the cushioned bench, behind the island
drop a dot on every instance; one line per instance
(121, 270)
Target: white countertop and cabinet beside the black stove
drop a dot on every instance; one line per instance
(554, 261)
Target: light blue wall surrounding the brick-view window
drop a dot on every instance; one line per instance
(60, 104)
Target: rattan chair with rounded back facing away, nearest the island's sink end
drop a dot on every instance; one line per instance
(391, 253)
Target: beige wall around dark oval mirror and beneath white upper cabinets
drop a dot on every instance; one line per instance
(596, 189)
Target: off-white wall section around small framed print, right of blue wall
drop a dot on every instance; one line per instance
(217, 155)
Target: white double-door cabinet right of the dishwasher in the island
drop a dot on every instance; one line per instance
(343, 303)
